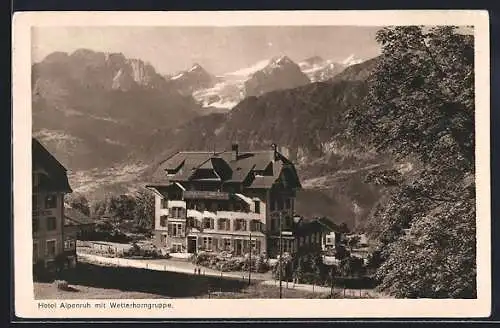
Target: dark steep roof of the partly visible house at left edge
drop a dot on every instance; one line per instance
(56, 178)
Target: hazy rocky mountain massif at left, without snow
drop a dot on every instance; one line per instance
(92, 108)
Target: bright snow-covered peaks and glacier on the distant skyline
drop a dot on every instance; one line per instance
(226, 91)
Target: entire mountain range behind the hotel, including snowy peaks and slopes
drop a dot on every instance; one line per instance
(111, 120)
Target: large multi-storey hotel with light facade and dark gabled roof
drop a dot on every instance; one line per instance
(225, 201)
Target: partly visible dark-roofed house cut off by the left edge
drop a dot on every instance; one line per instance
(49, 186)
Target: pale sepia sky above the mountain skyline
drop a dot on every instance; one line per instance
(218, 49)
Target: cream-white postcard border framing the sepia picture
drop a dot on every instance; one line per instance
(26, 306)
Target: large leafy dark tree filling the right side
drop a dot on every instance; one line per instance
(420, 110)
